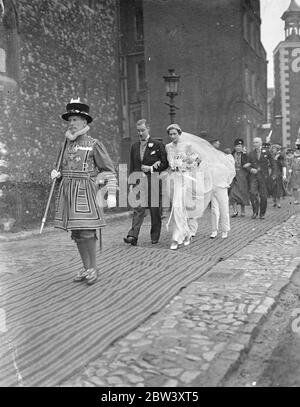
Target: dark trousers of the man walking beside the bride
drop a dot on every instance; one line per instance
(138, 219)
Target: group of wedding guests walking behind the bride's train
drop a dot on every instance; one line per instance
(268, 171)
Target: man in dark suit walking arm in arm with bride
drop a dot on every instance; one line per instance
(147, 155)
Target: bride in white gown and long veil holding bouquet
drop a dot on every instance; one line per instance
(191, 185)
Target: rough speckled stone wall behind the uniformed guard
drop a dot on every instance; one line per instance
(65, 49)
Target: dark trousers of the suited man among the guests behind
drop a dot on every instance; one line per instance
(258, 194)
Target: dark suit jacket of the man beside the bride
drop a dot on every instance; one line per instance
(155, 151)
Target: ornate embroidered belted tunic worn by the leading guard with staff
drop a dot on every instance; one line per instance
(76, 205)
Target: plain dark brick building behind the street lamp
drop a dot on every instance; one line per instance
(214, 46)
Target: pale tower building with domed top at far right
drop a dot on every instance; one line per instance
(286, 119)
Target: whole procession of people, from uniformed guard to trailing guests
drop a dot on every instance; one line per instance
(191, 172)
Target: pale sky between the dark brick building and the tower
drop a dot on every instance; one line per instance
(272, 29)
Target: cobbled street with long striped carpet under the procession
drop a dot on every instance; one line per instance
(202, 308)
